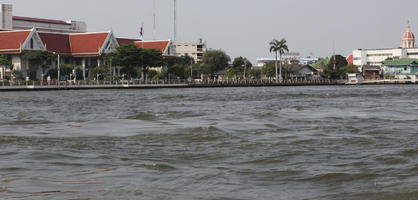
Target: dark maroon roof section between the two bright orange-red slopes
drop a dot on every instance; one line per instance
(54, 42)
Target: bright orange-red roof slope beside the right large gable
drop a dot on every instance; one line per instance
(87, 42)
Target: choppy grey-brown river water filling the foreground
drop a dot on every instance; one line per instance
(342, 142)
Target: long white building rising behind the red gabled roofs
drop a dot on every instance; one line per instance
(10, 22)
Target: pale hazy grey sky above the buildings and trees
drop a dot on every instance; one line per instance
(244, 27)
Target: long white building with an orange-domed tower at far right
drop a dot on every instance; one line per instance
(375, 57)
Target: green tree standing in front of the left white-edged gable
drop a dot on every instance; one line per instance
(38, 60)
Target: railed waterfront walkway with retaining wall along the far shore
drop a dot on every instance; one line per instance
(88, 85)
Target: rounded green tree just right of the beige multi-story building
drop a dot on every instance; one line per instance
(214, 61)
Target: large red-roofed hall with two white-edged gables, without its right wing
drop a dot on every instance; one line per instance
(82, 50)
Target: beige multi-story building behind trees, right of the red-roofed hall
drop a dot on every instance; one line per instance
(195, 50)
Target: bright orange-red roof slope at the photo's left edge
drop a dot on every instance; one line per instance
(10, 41)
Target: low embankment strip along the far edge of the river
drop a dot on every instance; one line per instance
(151, 85)
